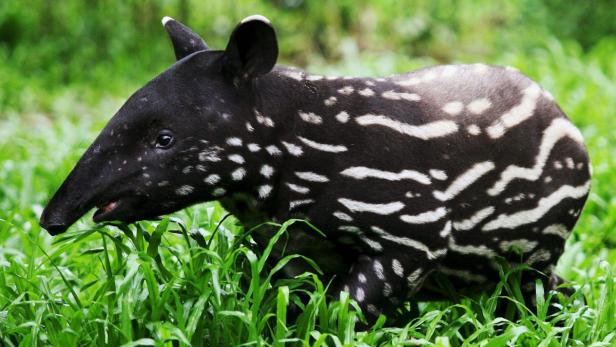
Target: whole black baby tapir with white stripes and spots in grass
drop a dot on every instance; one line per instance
(441, 170)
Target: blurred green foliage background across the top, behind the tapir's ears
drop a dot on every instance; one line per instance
(109, 47)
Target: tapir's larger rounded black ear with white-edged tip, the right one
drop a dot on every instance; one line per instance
(252, 49)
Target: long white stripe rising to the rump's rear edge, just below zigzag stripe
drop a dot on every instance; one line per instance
(544, 205)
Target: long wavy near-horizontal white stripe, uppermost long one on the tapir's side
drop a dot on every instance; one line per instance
(425, 132)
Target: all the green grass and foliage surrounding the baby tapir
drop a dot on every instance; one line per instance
(68, 65)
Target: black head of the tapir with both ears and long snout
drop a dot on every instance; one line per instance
(180, 122)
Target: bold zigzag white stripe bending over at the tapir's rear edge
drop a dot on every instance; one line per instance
(558, 129)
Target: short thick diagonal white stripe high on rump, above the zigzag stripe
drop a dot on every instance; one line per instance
(516, 115)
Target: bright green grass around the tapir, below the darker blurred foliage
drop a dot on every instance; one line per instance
(190, 280)
